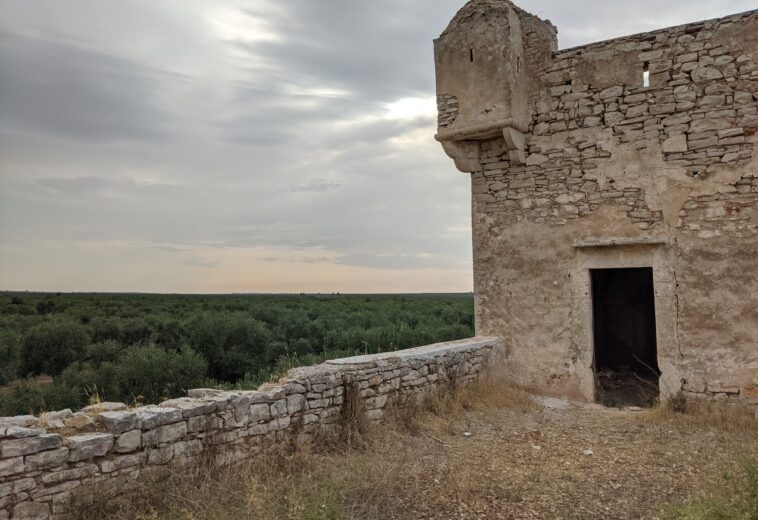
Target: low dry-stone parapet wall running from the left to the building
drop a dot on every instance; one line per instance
(45, 460)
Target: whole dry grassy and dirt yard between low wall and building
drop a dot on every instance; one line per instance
(486, 452)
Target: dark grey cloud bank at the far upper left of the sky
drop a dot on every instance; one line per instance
(77, 93)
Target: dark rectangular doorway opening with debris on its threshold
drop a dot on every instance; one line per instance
(626, 358)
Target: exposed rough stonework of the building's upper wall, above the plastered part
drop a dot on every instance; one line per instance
(698, 119)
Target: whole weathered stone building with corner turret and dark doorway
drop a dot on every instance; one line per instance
(614, 191)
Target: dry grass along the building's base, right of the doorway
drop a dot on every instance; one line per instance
(722, 416)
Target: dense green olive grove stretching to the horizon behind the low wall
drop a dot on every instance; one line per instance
(63, 350)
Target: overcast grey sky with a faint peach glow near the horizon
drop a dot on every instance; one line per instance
(244, 146)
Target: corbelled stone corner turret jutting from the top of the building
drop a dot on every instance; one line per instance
(486, 61)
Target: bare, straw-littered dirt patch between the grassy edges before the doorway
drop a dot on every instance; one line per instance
(566, 461)
